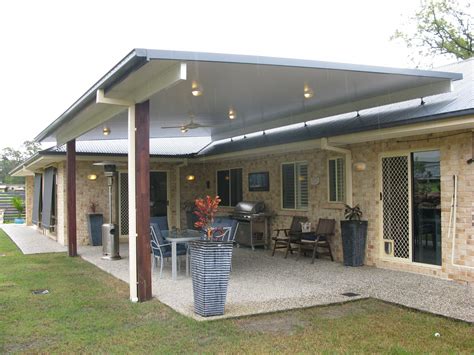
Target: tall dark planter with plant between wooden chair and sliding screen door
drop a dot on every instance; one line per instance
(354, 236)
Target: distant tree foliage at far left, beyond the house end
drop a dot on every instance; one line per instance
(10, 158)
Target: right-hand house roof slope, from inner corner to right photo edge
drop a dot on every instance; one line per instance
(458, 102)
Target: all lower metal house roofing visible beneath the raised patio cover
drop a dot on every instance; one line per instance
(458, 102)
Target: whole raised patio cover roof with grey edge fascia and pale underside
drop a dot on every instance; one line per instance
(266, 92)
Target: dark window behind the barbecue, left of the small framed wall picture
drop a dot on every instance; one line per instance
(229, 186)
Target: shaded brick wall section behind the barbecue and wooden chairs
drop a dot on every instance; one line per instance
(319, 207)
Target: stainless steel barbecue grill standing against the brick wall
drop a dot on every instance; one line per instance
(252, 223)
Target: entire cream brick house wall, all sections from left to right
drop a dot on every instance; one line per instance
(455, 149)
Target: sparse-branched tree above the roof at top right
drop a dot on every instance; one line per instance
(440, 27)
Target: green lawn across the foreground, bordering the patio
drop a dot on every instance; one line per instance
(88, 311)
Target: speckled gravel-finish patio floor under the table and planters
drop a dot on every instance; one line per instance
(260, 283)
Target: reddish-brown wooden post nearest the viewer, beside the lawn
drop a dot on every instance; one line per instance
(142, 124)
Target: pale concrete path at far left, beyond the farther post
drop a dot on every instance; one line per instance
(30, 241)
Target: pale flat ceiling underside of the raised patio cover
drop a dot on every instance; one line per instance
(263, 96)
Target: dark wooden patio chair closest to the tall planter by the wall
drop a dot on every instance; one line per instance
(320, 239)
